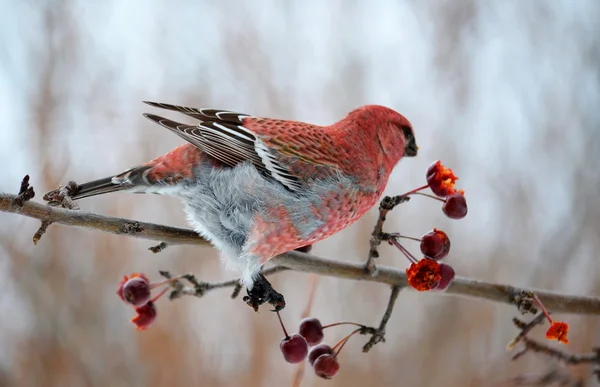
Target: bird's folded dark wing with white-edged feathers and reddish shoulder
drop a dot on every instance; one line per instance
(233, 138)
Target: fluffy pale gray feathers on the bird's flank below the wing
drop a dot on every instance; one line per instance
(222, 203)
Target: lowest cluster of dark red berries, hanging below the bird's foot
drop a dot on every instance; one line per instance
(322, 357)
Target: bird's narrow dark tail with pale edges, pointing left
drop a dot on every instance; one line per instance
(125, 181)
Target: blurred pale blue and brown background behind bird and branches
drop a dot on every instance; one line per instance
(505, 92)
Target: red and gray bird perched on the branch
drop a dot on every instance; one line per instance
(258, 187)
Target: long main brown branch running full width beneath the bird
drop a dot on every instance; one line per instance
(558, 303)
